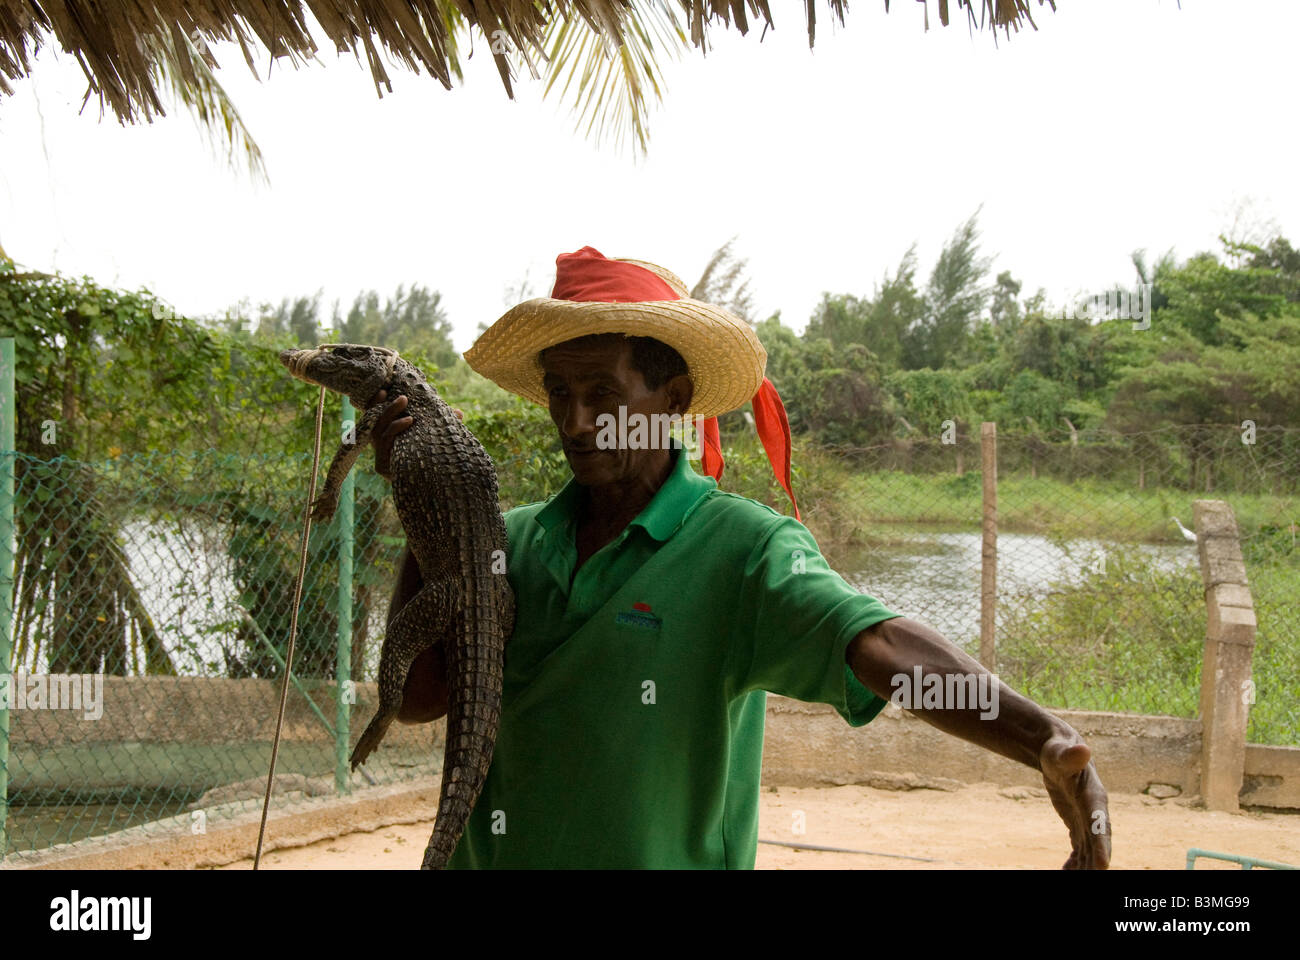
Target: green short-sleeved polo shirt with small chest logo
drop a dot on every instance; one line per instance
(634, 704)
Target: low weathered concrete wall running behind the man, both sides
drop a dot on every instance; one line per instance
(206, 733)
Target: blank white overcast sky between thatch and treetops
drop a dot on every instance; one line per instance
(1120, 124)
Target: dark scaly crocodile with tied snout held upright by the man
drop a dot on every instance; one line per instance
(445, 492)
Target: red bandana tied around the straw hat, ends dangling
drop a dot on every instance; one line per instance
(588, 276)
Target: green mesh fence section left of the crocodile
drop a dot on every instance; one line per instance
(153, 609)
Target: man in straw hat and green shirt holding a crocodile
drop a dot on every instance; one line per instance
(655, 611)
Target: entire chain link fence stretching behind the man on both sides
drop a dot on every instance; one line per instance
(170, 578)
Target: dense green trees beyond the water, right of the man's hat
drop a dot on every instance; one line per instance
(1221, 343)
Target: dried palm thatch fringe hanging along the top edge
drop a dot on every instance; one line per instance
(124, 47)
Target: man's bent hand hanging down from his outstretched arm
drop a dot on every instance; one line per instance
(1081, 801)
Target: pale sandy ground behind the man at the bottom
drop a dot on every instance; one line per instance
(977, 827)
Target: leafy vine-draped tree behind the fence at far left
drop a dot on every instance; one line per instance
(123, 413)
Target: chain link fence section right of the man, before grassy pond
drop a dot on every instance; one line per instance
(1100, 602)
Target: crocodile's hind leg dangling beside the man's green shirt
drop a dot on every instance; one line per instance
(418, 626)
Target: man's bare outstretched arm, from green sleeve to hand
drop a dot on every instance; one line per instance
(1019, 729)
